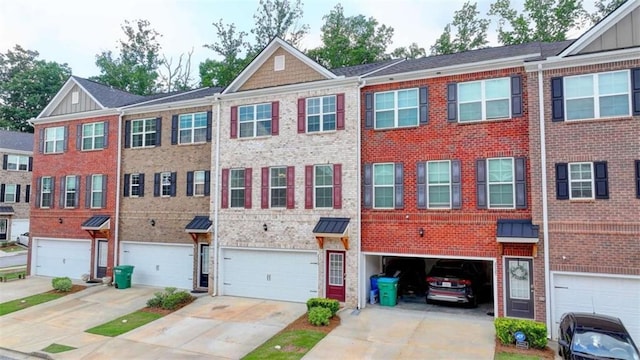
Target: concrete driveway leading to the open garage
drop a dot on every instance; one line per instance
(390, 333)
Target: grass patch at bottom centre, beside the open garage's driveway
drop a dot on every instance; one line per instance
(287, 345)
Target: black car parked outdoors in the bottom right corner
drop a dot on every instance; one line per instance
(594, 336)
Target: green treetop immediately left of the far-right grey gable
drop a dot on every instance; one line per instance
(540, 20)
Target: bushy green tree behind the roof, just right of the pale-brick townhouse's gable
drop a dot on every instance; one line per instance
(351, 40)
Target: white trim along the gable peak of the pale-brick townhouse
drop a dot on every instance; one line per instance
(274, 45)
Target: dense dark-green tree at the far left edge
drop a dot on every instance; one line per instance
(27, 85)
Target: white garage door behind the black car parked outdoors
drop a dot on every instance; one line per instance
(613, 296)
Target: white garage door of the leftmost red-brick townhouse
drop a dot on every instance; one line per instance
(60, 258)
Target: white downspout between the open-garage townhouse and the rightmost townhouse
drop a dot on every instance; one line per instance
(545, 208)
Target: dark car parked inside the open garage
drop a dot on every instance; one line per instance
(455, 281)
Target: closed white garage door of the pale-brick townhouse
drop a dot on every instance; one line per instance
(274, 275)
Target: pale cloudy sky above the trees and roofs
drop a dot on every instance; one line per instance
(75, 31)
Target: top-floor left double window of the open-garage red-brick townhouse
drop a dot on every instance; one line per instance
(396, 109)
